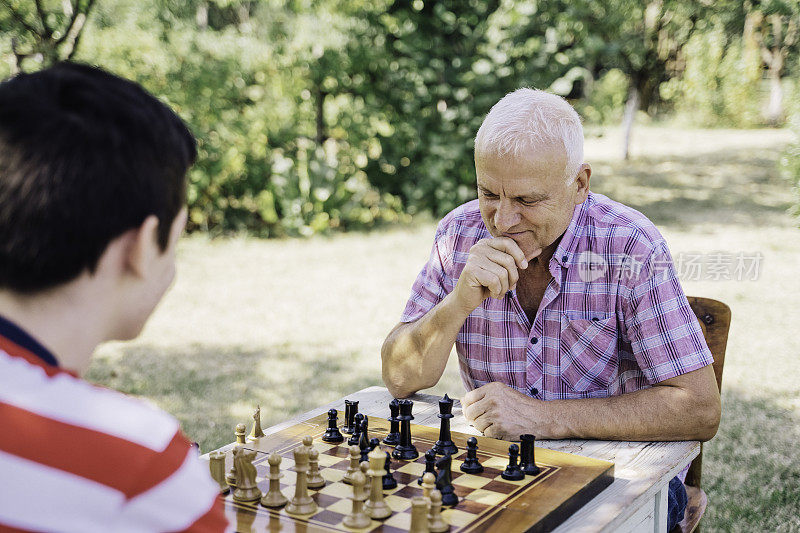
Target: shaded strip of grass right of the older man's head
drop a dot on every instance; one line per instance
(731, 186)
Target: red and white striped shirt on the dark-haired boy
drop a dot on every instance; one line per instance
(77, 457)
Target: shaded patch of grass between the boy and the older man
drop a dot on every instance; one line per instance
(210, 389)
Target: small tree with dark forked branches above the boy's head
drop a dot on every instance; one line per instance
(47, 32)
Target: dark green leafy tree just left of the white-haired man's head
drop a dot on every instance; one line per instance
(425, 78)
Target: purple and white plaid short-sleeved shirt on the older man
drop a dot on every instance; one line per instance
(613, 319)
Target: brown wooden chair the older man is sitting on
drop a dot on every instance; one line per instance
(715, 321)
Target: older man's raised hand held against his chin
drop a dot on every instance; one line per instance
(492, 269)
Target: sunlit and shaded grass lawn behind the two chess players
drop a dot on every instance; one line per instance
(293, 324)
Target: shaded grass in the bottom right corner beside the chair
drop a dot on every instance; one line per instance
(751, 469)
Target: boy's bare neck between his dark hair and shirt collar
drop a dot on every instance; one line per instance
(61, 321)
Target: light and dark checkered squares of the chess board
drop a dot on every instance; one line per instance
(480, 495)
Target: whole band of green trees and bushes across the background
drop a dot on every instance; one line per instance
(318, 115)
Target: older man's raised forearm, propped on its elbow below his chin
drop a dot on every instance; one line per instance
(415, 354)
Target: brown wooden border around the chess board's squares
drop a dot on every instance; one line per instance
(514, 512)
